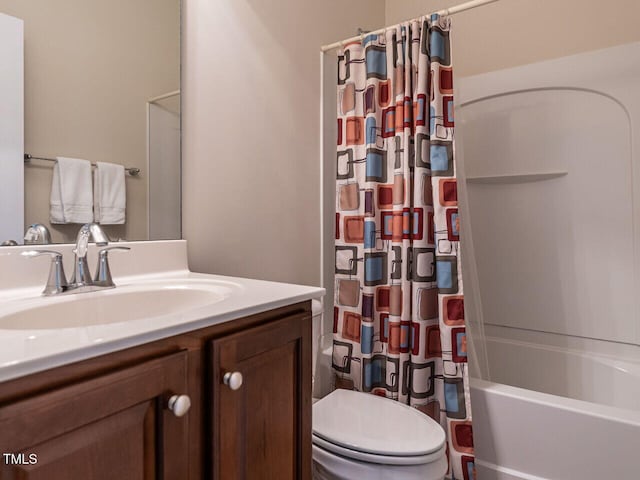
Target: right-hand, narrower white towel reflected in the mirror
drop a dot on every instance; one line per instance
(109, 194)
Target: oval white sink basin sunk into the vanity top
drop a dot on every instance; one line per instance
(122, 304)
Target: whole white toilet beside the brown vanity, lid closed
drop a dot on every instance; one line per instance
(361, 436)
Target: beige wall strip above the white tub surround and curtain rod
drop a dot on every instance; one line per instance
(517, 32)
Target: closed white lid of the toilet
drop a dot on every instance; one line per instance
(376, 425)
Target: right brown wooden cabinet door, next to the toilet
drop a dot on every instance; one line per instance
(262, 430)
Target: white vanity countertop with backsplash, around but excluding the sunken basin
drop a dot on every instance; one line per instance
(147, 264)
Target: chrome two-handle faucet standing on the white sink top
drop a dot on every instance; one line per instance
(81, 281)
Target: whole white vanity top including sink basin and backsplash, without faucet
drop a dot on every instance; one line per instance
(156, 297)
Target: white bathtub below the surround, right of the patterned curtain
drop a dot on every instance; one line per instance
(556, 413)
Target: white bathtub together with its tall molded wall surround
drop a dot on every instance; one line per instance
(559, 319)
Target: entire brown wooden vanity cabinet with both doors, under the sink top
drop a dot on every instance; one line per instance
(108, 417)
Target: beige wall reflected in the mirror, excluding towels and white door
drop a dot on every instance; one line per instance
(102, 83)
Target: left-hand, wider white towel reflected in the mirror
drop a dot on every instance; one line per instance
(71, 198)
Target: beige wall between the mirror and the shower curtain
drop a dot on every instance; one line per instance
(251, 131)
